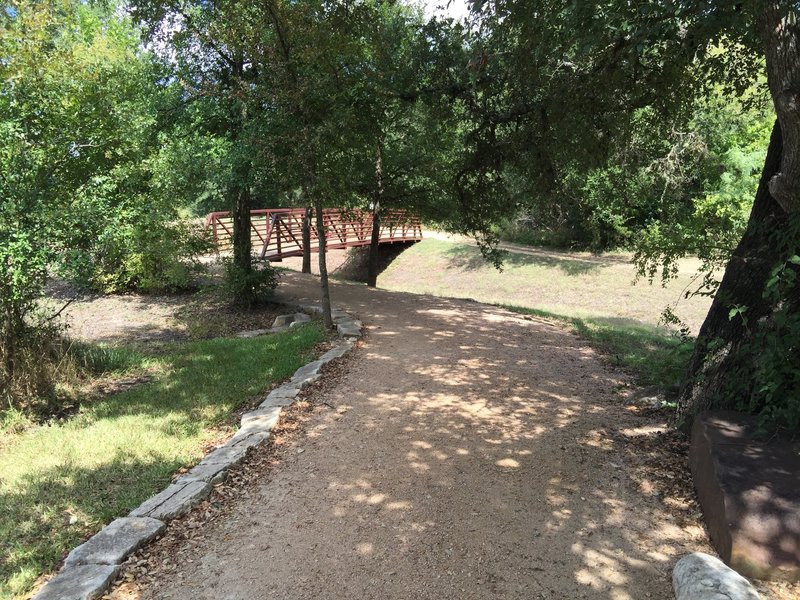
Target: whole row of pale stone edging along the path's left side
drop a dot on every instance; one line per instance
(90, 568)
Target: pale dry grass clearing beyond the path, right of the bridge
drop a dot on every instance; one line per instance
(577, 284)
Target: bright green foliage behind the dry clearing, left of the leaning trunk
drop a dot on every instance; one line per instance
(664, 191)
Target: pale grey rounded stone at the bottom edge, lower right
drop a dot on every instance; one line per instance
(700, 576)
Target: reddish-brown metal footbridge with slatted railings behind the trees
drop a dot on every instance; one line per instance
(278, 232)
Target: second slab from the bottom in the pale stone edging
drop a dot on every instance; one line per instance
(112, 544)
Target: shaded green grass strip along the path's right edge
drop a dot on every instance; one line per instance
(655, 357)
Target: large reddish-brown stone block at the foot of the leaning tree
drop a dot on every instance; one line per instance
(750, 493)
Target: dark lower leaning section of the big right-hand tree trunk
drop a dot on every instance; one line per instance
(715, 356)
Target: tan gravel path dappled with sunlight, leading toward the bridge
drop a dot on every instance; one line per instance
(470, 453)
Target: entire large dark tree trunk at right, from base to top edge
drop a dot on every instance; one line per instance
(720, 372)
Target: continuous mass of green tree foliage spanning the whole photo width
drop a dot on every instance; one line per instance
(600, 125)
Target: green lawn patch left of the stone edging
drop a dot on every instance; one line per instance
(62, 481)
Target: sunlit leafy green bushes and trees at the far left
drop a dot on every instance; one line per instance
(82, 121)
